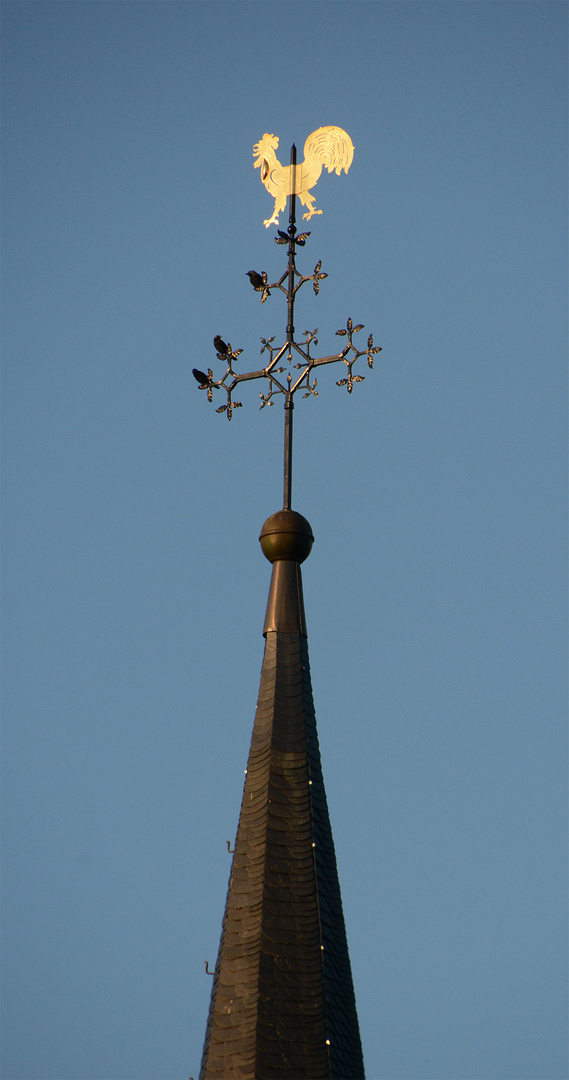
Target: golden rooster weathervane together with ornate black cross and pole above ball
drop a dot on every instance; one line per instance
(333, 148)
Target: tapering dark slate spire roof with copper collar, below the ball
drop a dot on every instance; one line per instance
(282, 1003)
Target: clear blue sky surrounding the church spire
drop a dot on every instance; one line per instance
(136, 587)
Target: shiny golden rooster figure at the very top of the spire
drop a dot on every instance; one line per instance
(331, 147)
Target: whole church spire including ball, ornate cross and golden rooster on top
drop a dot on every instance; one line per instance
(282, 1002)
